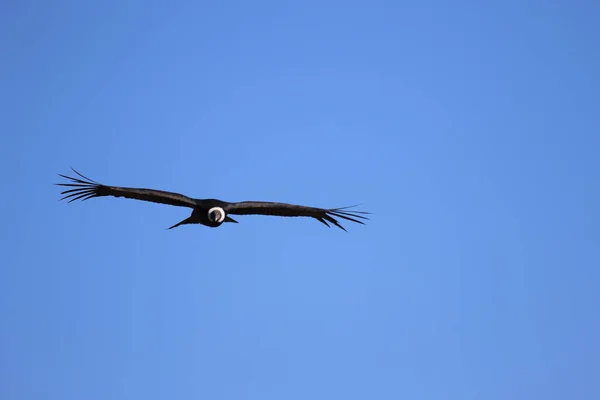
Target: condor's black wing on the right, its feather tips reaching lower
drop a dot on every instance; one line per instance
(292, 210)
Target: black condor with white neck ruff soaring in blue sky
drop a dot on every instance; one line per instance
(209, 212)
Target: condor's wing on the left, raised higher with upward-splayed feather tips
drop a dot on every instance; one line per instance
(84, 188)
